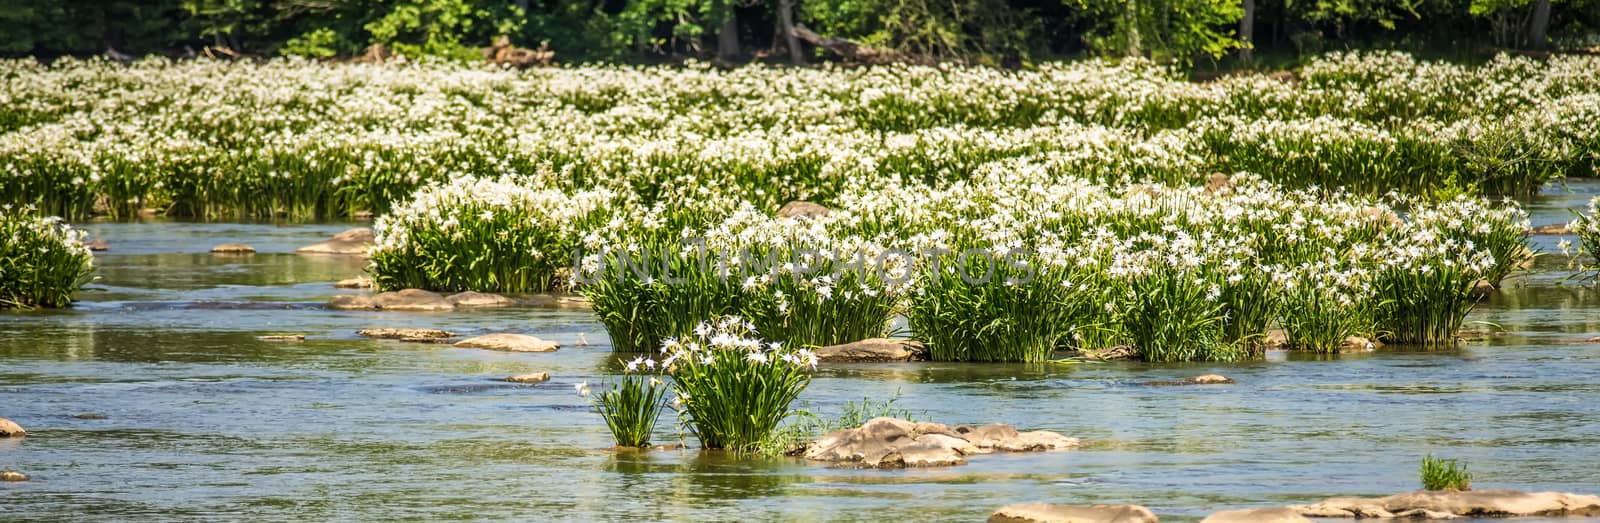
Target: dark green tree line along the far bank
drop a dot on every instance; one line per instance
(1001, 33)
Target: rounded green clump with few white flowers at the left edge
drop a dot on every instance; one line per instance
(42, 261)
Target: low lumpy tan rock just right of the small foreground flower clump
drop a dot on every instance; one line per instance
(898, 444)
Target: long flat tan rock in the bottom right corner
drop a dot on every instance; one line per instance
(1452, 505)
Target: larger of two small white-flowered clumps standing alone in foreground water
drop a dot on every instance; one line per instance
(735, 389)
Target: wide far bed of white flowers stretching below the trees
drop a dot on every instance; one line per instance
(297, 135)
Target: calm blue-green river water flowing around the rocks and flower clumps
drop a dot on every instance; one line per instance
(206, 421)
